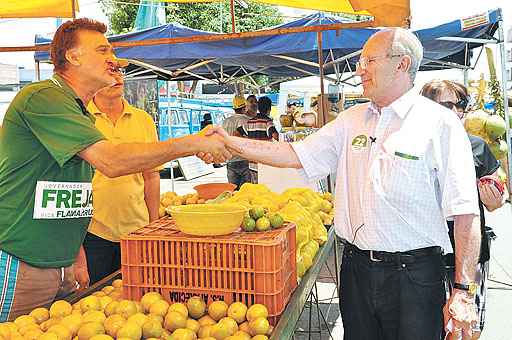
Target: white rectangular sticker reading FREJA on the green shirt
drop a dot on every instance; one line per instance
(57, 200)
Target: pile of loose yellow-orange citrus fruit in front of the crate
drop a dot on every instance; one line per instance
(105, 315)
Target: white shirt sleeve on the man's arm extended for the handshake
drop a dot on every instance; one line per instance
(319, 152)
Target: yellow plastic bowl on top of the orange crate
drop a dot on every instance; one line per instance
(207, 219)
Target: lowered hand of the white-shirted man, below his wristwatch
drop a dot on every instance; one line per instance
(460, 309)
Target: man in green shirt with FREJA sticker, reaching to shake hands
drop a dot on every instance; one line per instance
(48, 148)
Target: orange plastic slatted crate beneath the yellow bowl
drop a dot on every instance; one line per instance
(248, 267)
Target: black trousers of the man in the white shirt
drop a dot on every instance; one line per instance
(400, 300)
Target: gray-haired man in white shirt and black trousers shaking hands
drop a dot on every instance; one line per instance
(403, 166)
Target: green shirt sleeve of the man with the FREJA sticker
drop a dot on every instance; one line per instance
(64, 131)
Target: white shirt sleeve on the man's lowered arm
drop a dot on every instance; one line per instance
(456, 172)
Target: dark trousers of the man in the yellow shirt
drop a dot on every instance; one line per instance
(103, 257)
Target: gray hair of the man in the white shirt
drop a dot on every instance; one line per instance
(406, 43)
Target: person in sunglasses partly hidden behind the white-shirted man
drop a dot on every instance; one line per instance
(454, 96)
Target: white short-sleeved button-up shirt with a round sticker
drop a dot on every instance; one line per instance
(401, 172)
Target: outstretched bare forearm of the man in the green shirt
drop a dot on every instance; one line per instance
(122, 159)
